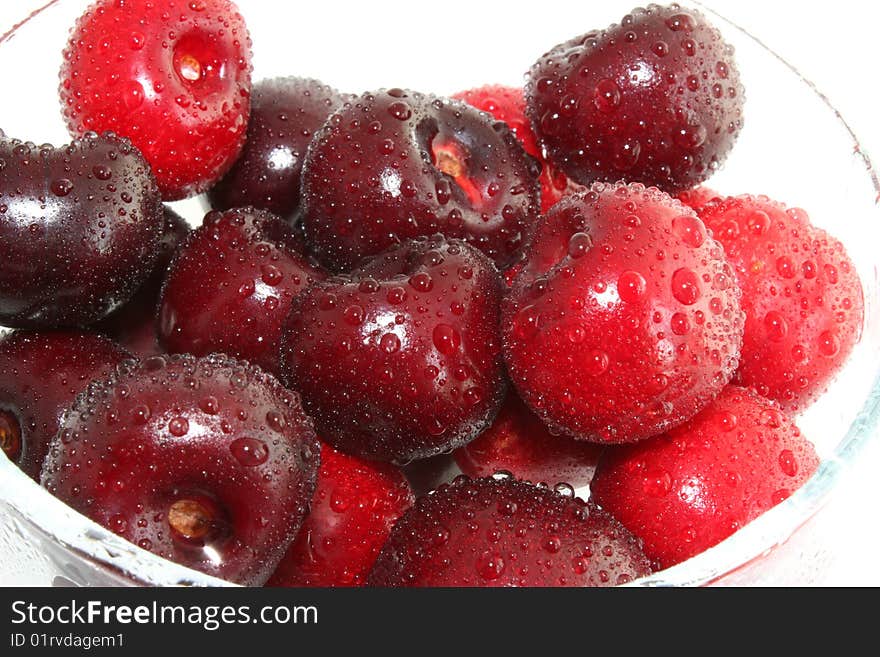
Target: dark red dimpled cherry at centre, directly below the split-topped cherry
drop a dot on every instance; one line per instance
(400, 359)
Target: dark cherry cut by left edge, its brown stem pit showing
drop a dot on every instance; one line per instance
(42, 373)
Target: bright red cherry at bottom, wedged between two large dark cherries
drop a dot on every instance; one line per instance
(355, 506)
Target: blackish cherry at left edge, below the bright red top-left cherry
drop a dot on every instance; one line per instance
(80, 228)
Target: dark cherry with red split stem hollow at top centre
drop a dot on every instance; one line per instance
(398, 164)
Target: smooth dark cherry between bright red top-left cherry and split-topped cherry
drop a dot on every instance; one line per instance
(285, 114)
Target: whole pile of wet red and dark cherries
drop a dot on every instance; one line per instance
(531, 280)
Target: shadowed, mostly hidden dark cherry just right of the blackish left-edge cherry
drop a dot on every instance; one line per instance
(134, 324)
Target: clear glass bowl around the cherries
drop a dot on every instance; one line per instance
(46, 543)
